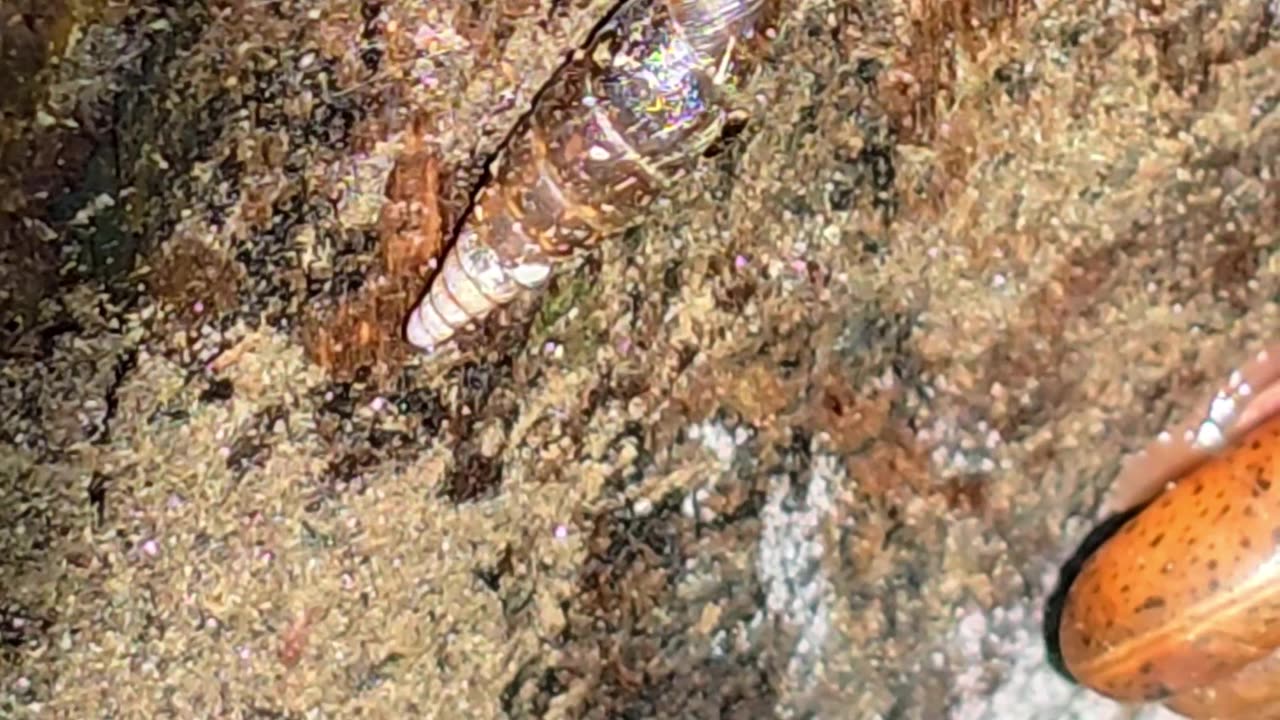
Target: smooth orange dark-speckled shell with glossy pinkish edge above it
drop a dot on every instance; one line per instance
(1183, 604)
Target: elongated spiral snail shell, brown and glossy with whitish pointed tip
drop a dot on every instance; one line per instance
(618, 126)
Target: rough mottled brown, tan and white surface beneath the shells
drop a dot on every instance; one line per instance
(812, 443)
